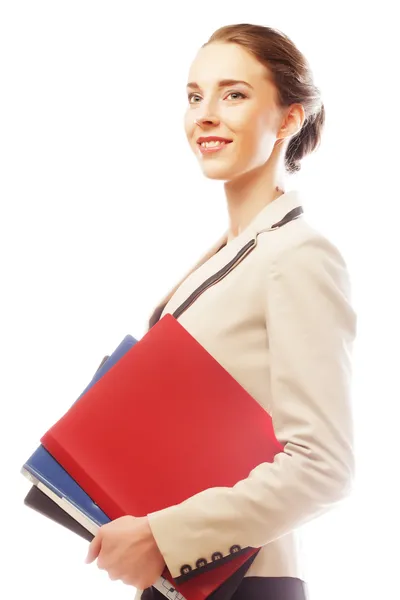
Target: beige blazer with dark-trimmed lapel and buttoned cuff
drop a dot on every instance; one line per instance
(282, 323)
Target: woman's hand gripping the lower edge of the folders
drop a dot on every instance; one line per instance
(127, 550)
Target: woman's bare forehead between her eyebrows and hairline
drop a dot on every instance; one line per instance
(226, 60)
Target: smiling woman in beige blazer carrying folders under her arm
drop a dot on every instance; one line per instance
(278, 318)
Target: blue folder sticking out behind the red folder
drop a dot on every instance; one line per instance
(42, 468)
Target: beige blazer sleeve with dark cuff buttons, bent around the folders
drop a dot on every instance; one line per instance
(311, 326)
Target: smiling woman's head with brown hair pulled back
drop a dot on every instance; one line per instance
(272, 80)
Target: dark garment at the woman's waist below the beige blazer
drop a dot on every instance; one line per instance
(253, 588)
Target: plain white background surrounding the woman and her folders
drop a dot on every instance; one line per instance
(103, 208)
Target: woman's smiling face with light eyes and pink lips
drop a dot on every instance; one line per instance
(231, 96)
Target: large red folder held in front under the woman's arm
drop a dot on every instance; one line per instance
(164, 423)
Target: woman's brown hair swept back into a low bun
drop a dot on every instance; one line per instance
(292, 77)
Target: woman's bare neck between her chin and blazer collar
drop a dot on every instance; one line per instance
(248, 194)
